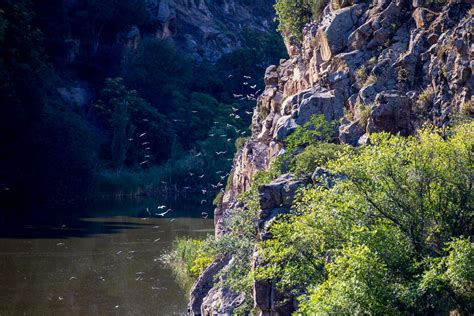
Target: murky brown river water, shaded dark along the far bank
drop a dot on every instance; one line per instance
(101, 260)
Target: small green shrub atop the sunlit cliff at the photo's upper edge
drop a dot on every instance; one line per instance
(293, 15)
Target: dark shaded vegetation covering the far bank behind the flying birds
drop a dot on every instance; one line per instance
(155, 120)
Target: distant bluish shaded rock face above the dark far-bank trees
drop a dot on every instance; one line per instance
(209, 29)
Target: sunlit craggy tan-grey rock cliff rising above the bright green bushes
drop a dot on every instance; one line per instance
(378, 66)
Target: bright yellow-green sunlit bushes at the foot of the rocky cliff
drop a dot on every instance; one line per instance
(389, 233)
